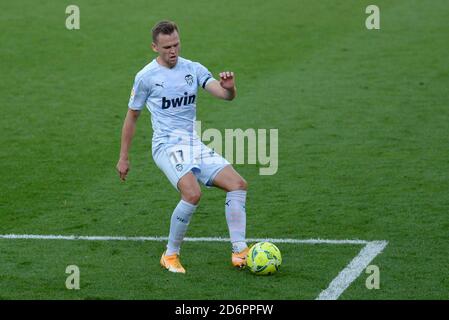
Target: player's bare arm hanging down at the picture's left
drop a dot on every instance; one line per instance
(129, 127)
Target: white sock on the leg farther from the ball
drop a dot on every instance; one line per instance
(179, 222)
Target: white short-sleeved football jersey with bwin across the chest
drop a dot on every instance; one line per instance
(170, 95)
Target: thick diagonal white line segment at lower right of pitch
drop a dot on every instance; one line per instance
(352, 270)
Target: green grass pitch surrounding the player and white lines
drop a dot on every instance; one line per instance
(363, 124)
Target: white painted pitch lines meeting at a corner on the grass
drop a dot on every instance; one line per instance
(343, 280)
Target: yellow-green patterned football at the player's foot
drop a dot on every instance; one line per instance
(264, 258)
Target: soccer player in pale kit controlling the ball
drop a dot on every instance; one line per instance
(168, 87)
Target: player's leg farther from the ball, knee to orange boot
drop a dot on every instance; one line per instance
(190, 196)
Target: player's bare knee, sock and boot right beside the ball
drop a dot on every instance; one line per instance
(235, 186)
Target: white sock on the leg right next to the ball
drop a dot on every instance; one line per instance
(236, 218)
